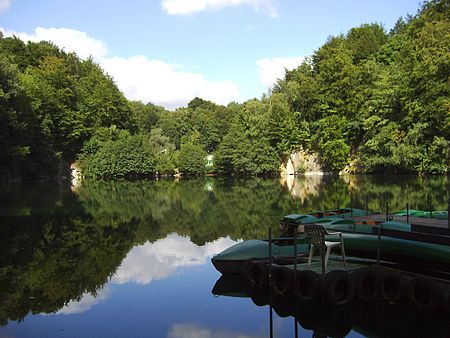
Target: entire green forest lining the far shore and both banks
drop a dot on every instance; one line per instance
(371, 100)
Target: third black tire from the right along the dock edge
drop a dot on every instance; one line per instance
(366, 284)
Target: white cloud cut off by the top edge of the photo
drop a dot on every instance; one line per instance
(183, 7)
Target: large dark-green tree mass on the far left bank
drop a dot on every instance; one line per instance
(59, 103)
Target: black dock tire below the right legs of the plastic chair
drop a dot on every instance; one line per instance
(338, 288)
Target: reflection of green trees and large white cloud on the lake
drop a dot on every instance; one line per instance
(64, 251)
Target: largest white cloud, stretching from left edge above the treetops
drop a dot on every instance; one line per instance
(139, 77)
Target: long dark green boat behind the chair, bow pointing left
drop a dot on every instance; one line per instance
(413, 246)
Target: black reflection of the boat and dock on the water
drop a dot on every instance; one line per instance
(369, 319)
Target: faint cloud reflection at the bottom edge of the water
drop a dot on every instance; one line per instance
(196, 331)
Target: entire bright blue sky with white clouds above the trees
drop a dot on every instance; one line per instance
(169, 51)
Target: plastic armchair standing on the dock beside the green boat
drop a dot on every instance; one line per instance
(317, 233)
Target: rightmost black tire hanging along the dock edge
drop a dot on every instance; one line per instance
(424, 293)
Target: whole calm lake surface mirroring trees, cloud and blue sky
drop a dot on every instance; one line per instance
(123, 259)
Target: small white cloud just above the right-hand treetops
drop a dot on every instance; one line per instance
(271, 69)
